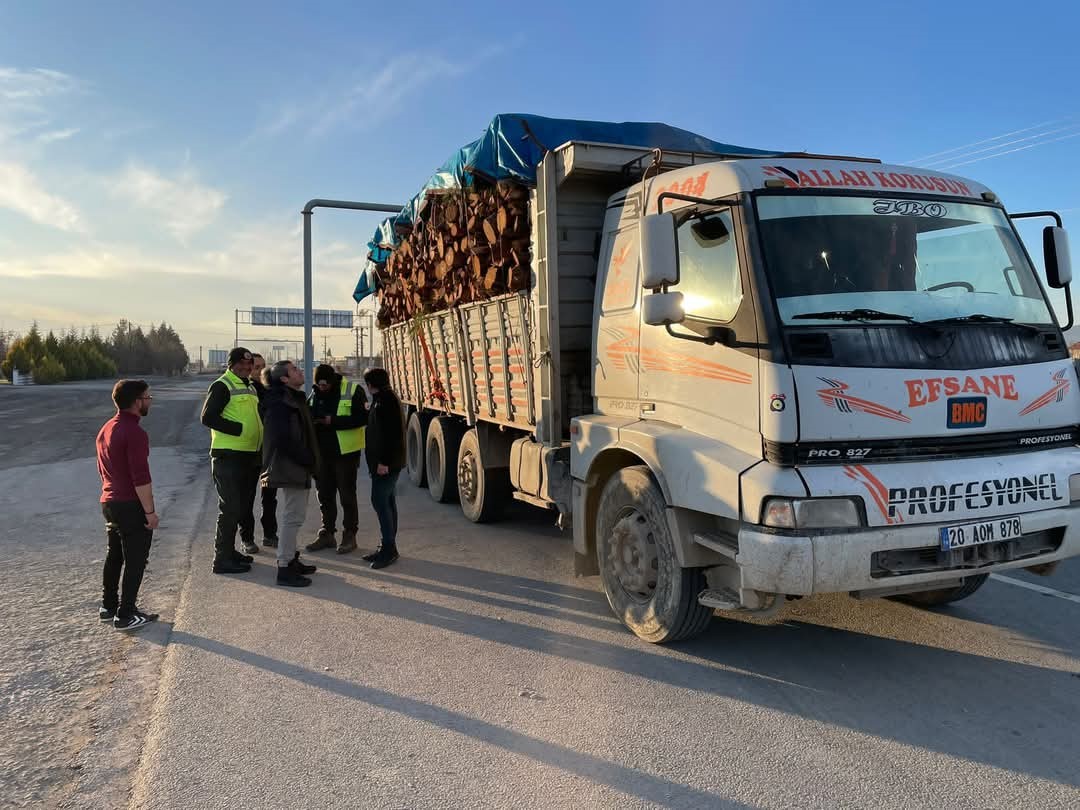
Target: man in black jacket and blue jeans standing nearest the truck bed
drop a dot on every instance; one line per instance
(386, 457)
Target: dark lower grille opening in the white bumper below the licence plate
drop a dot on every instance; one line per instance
(899, 562)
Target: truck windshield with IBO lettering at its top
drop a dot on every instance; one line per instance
(832, 258)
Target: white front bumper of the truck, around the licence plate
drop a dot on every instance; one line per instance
(804, 564)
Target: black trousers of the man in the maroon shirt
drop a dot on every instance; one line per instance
(129, 551)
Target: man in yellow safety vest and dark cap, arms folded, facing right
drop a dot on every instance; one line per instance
(232, 412)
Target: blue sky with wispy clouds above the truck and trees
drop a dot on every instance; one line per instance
(155, 157)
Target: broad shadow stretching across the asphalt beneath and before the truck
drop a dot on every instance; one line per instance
(1004, 714)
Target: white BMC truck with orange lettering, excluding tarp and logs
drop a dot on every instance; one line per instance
(747, 381)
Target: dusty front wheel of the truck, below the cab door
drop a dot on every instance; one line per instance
(655, 597)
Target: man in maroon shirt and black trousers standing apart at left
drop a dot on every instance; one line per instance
(124, 454)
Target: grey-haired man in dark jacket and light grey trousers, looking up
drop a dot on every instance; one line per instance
(290, 460)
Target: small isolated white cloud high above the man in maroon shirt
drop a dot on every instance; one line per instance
(185, 205)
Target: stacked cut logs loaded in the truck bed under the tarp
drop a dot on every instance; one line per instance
(470, 245)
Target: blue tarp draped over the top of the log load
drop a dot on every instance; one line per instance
(512, 147)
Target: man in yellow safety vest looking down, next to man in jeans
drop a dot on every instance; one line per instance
(340, 410)
